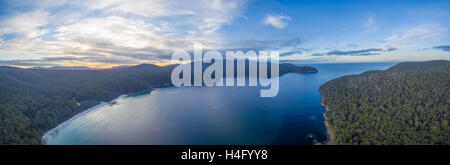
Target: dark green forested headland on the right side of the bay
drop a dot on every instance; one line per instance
(405, 104)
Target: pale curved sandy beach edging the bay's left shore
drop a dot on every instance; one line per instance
(48, 134)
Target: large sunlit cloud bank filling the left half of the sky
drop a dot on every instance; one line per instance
(124, 30)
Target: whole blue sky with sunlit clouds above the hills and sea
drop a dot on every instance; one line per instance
(109, 33)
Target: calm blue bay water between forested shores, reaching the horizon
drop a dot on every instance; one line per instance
(212, 115)
